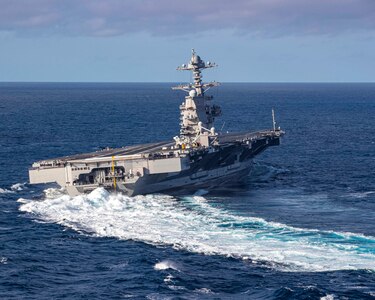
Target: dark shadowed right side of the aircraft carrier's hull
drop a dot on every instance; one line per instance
(207, 170)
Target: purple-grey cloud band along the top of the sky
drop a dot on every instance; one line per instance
(177, 17)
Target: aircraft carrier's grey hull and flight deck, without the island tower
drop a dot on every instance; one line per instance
(157, 167)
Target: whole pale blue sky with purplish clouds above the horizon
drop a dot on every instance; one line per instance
(145, 40)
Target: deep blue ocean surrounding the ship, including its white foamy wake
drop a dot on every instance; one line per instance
(303, 227)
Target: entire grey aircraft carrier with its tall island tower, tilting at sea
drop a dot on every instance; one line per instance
(198, 158)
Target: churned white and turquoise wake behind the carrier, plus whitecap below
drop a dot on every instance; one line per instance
(193, 224)
